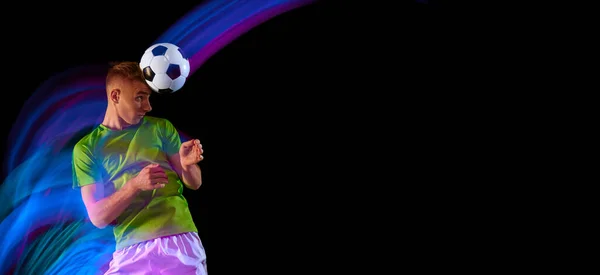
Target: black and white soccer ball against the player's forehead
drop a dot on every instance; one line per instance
(165, 67)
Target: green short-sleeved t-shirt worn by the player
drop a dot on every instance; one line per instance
(110, 158)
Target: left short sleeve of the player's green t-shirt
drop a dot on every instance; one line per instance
(84, 167)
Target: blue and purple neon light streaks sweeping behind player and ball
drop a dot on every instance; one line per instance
(43, 218)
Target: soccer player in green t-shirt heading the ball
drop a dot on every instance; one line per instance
(132, 169)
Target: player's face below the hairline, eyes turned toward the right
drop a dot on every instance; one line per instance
(134, 102)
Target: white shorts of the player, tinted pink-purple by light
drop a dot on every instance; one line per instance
(177, 254)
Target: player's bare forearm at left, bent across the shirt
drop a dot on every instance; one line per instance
(108, 209)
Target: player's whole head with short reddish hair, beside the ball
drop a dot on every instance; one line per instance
(128, 92)
